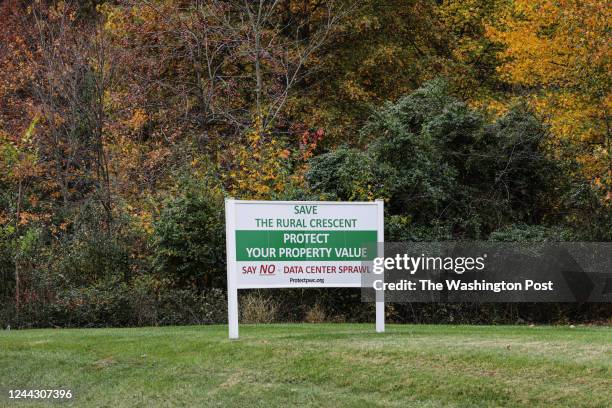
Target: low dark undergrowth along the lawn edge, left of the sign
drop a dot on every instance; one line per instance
(143, 302)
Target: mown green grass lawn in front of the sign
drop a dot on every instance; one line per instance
(335, 365)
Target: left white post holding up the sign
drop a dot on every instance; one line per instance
(230, 247)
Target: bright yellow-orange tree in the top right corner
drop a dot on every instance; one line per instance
(558, 53)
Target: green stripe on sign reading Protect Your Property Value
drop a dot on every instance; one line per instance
(305, 245)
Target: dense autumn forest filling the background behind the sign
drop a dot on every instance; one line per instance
(124, 124)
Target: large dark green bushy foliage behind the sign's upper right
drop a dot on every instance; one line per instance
(442, 167)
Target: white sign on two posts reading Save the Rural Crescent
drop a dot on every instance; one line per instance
(300, 244)
